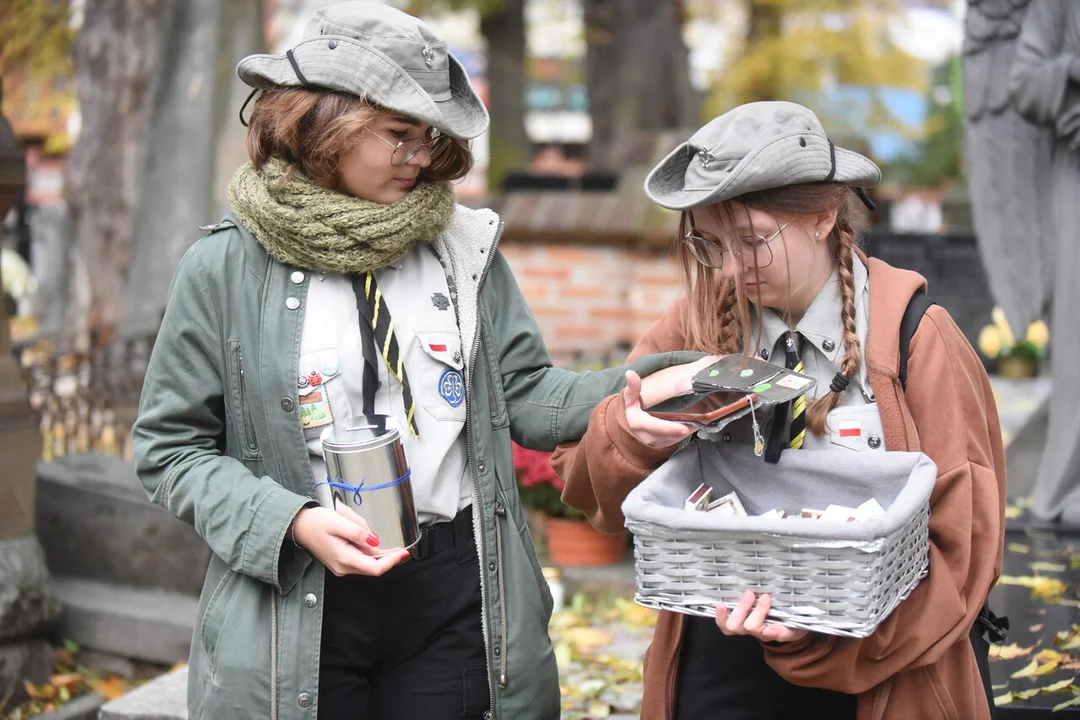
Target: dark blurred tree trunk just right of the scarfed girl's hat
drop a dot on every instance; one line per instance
(503, 25)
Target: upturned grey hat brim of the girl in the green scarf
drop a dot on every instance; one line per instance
(353, 67)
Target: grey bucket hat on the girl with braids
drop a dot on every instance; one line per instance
(758, 146)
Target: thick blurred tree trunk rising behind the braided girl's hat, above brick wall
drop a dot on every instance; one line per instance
(638, 72)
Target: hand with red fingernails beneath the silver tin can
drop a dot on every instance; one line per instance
(343, 542)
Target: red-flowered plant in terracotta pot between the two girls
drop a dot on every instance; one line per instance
(571, 539)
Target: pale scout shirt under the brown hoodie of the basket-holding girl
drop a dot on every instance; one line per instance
(855, 424)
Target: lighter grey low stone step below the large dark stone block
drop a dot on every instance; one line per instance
(128, 621)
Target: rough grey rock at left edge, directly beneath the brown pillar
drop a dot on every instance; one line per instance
(26, 605)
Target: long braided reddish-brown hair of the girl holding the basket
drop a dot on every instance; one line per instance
(723, 330)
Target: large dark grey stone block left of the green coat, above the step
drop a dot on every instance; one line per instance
(96, 521)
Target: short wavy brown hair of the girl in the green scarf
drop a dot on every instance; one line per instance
(312, 130)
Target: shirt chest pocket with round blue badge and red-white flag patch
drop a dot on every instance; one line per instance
(441, 372)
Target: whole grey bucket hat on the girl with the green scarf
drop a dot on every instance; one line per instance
(375, 50)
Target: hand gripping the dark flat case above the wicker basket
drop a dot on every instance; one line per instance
(663, 385)
